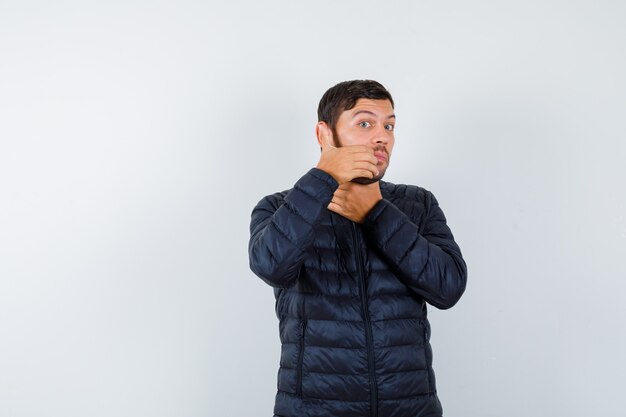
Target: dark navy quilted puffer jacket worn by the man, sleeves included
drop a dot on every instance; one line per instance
(351, 298)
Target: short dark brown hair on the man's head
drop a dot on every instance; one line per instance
(344, 96)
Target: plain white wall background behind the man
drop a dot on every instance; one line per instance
(136, 137)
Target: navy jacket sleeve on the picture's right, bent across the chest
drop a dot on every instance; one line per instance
(429, 263)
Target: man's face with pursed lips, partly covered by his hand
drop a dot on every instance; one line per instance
(370, 123)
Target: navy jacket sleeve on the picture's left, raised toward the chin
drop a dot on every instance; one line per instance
(282, 231)
